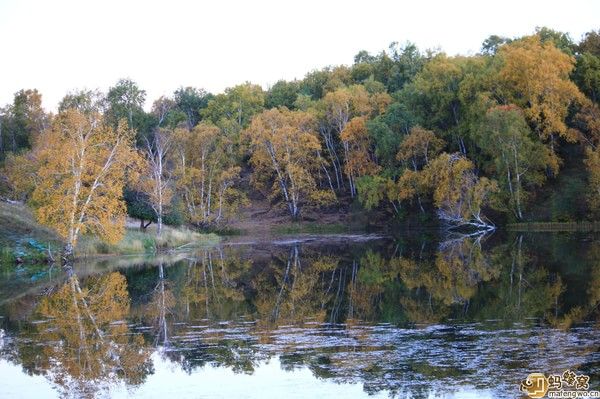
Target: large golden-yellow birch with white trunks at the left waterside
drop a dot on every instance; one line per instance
(82, 169)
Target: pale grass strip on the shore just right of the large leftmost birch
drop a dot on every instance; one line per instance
(138, 242)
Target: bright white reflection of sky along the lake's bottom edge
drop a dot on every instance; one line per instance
(170, 381)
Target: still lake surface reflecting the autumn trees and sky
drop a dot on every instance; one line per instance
(348, 317)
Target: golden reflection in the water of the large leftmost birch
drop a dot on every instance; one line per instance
(92, 341)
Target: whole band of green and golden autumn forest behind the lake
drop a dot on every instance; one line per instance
(507, 135)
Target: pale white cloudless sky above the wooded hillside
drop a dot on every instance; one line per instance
(60, 45)
